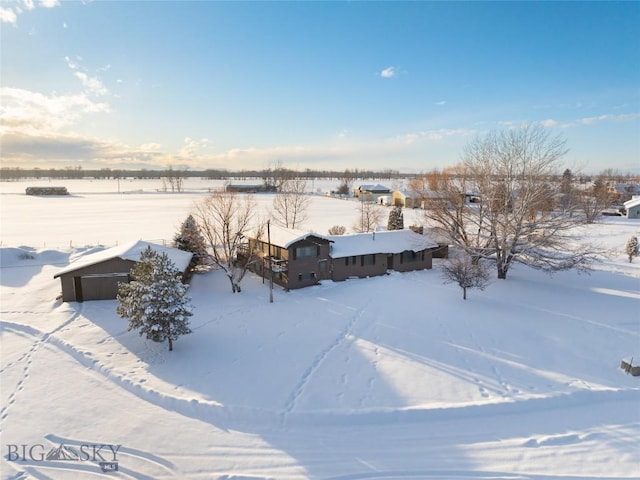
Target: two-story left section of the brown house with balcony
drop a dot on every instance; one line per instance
(296, 258)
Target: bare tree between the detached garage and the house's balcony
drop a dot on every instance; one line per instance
(225, 219)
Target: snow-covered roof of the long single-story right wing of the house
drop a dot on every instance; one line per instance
(391, 241)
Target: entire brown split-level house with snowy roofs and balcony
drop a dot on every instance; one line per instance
(299, 259)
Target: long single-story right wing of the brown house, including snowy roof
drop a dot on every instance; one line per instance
(372, 254)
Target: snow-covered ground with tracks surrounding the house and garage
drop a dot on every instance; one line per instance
(387, 377)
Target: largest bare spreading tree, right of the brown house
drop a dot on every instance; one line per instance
(511, 219)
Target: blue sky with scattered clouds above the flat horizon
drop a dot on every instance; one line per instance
(320, 85)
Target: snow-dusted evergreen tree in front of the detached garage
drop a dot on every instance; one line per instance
(155, 300)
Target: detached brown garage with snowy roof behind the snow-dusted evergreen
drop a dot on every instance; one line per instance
(96, 276)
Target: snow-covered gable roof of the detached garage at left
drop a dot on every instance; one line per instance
(129, 251)
